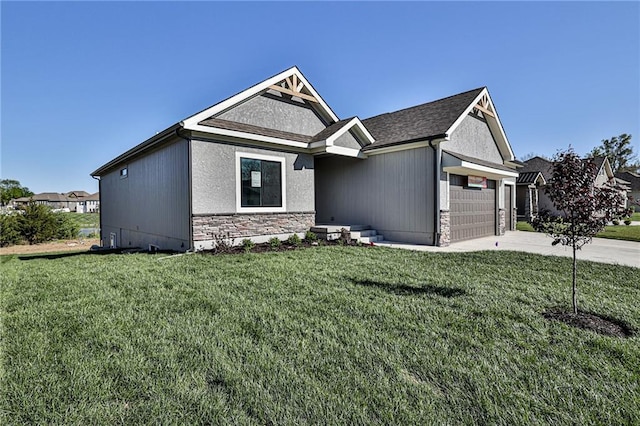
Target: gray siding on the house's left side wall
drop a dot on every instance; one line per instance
(150, 205)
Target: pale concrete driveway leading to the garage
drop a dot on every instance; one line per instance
(600, 250)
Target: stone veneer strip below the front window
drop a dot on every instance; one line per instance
(247, 225)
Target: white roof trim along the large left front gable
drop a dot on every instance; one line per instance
(254, 90)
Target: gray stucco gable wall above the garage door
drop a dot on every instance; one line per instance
(473, 138)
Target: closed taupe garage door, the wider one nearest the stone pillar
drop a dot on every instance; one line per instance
(473, 211)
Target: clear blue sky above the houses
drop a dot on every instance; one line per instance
(84, 82)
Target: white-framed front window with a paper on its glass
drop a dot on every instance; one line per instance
(260, 183)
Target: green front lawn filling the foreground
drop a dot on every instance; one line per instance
(332, 335)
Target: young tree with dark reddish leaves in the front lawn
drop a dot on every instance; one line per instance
(584, 208)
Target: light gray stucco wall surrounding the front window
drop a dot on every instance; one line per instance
(214, 178)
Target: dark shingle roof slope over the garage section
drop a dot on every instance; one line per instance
(419, 122)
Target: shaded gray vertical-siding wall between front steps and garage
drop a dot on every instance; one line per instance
(392, 192)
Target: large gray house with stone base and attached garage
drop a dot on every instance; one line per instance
(275, 159)
